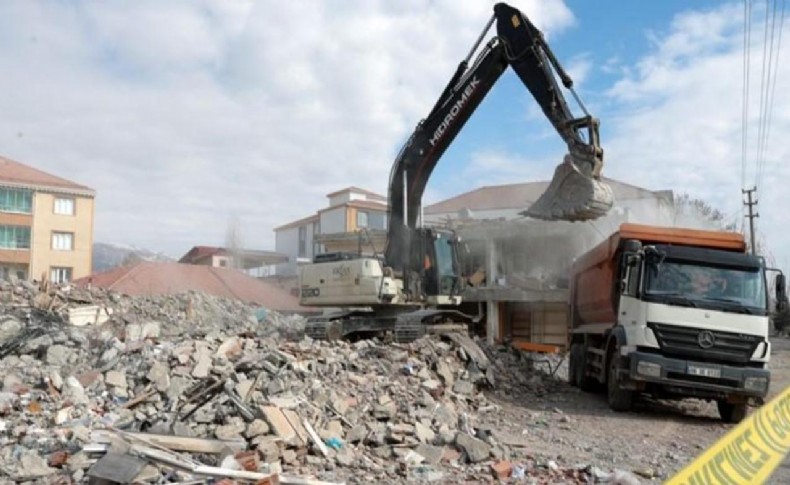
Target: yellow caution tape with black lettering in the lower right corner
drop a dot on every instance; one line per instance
(748, 453)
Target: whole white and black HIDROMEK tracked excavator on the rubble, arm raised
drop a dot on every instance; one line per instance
(415, 287)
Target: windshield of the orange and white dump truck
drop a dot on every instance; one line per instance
(743, 287)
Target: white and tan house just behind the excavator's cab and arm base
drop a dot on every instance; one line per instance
(348, 222)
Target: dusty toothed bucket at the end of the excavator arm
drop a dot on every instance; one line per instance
(572, 195)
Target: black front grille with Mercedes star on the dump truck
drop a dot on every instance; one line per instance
(724, 347)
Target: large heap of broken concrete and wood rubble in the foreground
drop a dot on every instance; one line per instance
(192, 387)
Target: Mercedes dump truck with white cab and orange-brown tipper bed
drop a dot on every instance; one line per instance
(673, 313)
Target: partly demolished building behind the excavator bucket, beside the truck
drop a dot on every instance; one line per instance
(516, 268)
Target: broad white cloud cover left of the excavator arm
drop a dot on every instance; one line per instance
(187, 115)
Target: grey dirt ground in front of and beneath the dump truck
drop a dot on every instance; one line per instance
(654, 441)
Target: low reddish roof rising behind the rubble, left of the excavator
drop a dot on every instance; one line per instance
(148, 278)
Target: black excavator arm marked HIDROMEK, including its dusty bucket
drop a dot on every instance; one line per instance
(575, 192)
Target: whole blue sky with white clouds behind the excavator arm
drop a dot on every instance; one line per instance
(188, 117)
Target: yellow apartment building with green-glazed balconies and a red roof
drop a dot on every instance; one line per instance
(46, 225)
